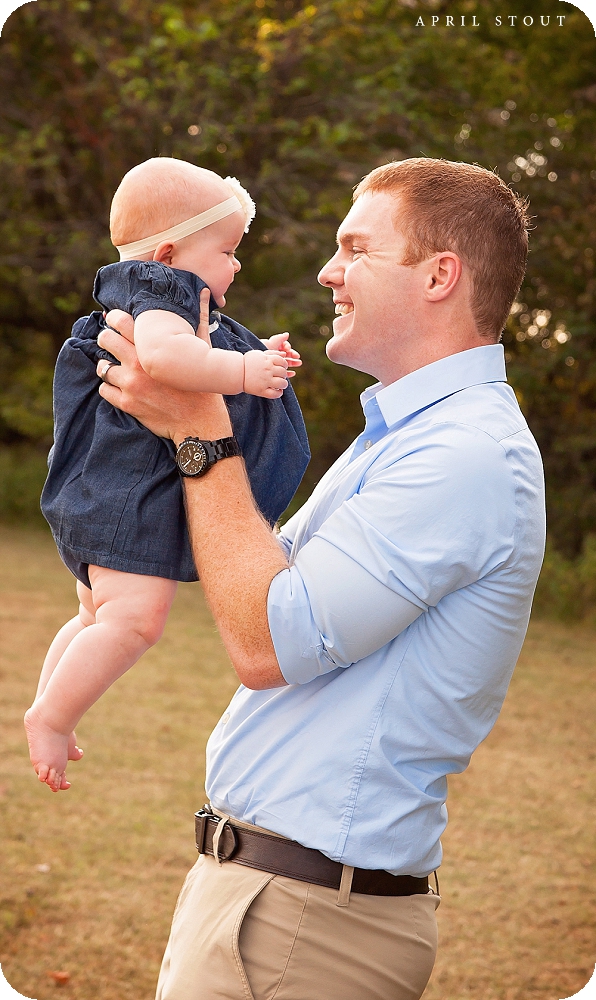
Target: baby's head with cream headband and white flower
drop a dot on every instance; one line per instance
(156, 197)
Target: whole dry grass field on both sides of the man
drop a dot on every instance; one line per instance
(89, 877)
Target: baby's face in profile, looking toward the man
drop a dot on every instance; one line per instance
(210, 254)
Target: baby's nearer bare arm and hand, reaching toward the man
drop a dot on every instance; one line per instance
(169, 351)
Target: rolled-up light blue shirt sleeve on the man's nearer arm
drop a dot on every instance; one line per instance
(416, 531)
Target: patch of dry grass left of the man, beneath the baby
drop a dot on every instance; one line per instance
(121, 840)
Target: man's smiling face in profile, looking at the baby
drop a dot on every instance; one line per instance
(376, 298)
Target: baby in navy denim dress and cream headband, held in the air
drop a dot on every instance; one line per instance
(113, 496)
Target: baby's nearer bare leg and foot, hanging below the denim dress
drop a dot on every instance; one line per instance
(130, 614)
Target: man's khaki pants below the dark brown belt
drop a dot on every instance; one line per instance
(243, 934)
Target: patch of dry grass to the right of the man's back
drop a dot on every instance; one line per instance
(518, 919)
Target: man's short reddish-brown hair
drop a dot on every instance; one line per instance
(468, 210)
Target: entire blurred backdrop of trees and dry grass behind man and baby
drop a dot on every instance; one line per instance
(298, 101)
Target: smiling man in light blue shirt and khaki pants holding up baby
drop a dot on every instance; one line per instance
(375, 638)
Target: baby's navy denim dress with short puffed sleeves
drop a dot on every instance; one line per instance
(113, 495)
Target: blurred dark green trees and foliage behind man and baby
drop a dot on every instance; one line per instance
(299, 101)
